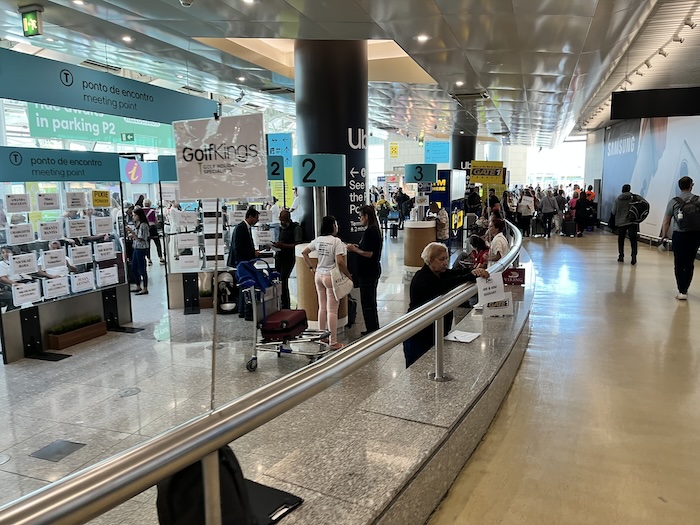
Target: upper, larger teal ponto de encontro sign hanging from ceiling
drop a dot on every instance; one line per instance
(43, 81)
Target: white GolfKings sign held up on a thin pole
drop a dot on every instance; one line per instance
(221, 157)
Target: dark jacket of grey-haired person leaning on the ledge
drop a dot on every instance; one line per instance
(425, 287)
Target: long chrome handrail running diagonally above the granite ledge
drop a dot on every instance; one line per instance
(94, 490)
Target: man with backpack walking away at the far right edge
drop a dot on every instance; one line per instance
(685, 212)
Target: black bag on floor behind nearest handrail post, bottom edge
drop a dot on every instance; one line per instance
(181, 497)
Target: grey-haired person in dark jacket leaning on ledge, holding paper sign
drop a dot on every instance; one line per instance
(430, 282)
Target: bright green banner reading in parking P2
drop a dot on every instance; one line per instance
(55, 122)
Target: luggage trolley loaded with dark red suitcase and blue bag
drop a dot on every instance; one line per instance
(276, 330)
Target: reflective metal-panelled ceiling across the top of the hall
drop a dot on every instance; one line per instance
(546, 64)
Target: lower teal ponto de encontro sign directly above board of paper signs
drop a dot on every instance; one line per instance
(47, 165)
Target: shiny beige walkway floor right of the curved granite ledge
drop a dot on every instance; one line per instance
(601, 423)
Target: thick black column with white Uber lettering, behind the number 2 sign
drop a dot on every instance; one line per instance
(331, 102)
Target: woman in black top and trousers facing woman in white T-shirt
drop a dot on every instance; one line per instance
(369, 269)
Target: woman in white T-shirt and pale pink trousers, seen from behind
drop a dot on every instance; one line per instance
(331, 251)
